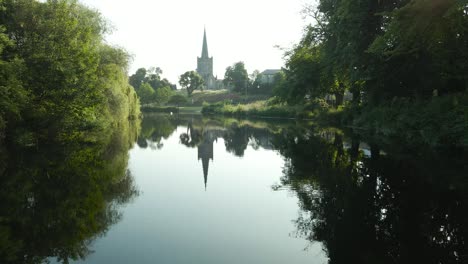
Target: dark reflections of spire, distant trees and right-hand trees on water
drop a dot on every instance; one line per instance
(366, 201)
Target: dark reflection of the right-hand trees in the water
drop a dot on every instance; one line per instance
(377, 209)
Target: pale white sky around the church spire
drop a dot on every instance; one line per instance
(169, 34)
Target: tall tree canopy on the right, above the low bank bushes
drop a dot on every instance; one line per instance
(379, 50)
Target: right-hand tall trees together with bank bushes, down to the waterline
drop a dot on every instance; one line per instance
(385, 53)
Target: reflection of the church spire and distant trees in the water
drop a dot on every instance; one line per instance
(202, 133)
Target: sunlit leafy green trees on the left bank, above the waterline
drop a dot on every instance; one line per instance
(58, 78)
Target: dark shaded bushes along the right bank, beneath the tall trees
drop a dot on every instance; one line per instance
(439, 122)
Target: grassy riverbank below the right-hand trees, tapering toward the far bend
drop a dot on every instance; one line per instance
(441, 121)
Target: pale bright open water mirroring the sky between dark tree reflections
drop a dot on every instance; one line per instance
(205, 204)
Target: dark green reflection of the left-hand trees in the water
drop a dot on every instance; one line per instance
(55, 200)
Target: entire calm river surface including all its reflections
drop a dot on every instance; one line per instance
(217, 190)
